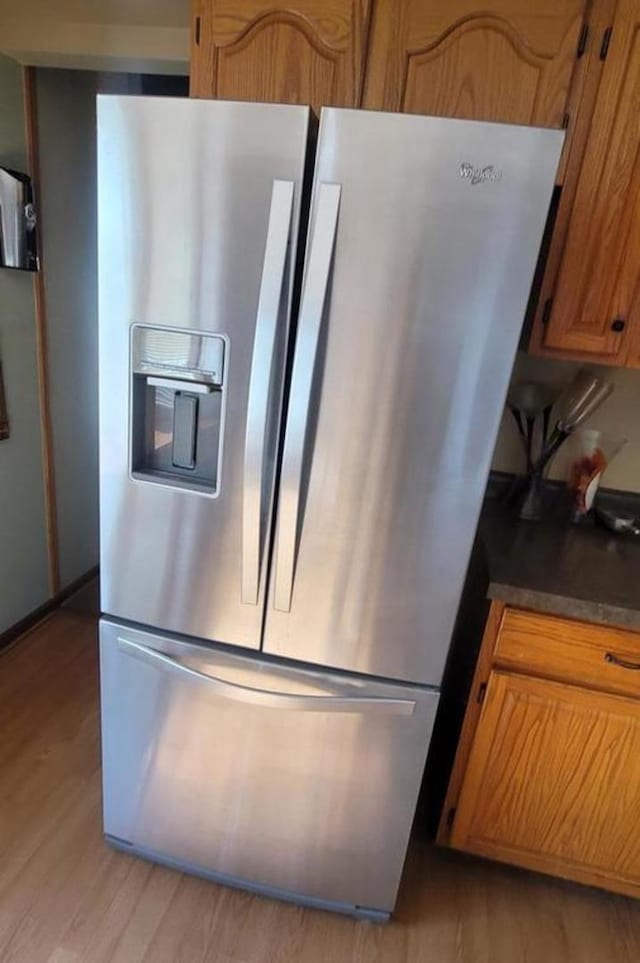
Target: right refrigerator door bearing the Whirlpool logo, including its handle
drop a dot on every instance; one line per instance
(422, 245)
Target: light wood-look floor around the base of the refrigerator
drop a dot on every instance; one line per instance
(67, 897)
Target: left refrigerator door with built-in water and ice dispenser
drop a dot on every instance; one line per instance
(198, 213)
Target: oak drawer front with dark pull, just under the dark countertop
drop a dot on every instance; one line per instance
(596, 656)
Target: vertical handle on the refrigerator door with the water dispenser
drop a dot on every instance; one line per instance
(264, 343)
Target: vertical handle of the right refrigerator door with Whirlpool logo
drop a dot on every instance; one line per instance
(314, 295)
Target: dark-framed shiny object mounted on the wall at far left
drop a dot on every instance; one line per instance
(17, 221)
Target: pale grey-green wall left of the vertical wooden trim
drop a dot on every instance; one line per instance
(23, 547)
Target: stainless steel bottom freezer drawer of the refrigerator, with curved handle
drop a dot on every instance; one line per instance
(294, 781)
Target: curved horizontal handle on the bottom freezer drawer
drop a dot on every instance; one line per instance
(369, 705)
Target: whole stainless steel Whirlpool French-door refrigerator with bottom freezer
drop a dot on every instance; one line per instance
(286, 521)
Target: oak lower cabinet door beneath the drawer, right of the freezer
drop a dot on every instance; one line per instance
(553, 782)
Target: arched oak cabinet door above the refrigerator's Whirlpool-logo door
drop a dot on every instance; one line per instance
(504, 60)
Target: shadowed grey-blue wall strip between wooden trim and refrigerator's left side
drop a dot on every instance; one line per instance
(67, 139)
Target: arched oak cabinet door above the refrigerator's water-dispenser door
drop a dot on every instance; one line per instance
(301, 52)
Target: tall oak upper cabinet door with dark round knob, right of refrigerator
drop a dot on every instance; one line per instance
(598, 285)
